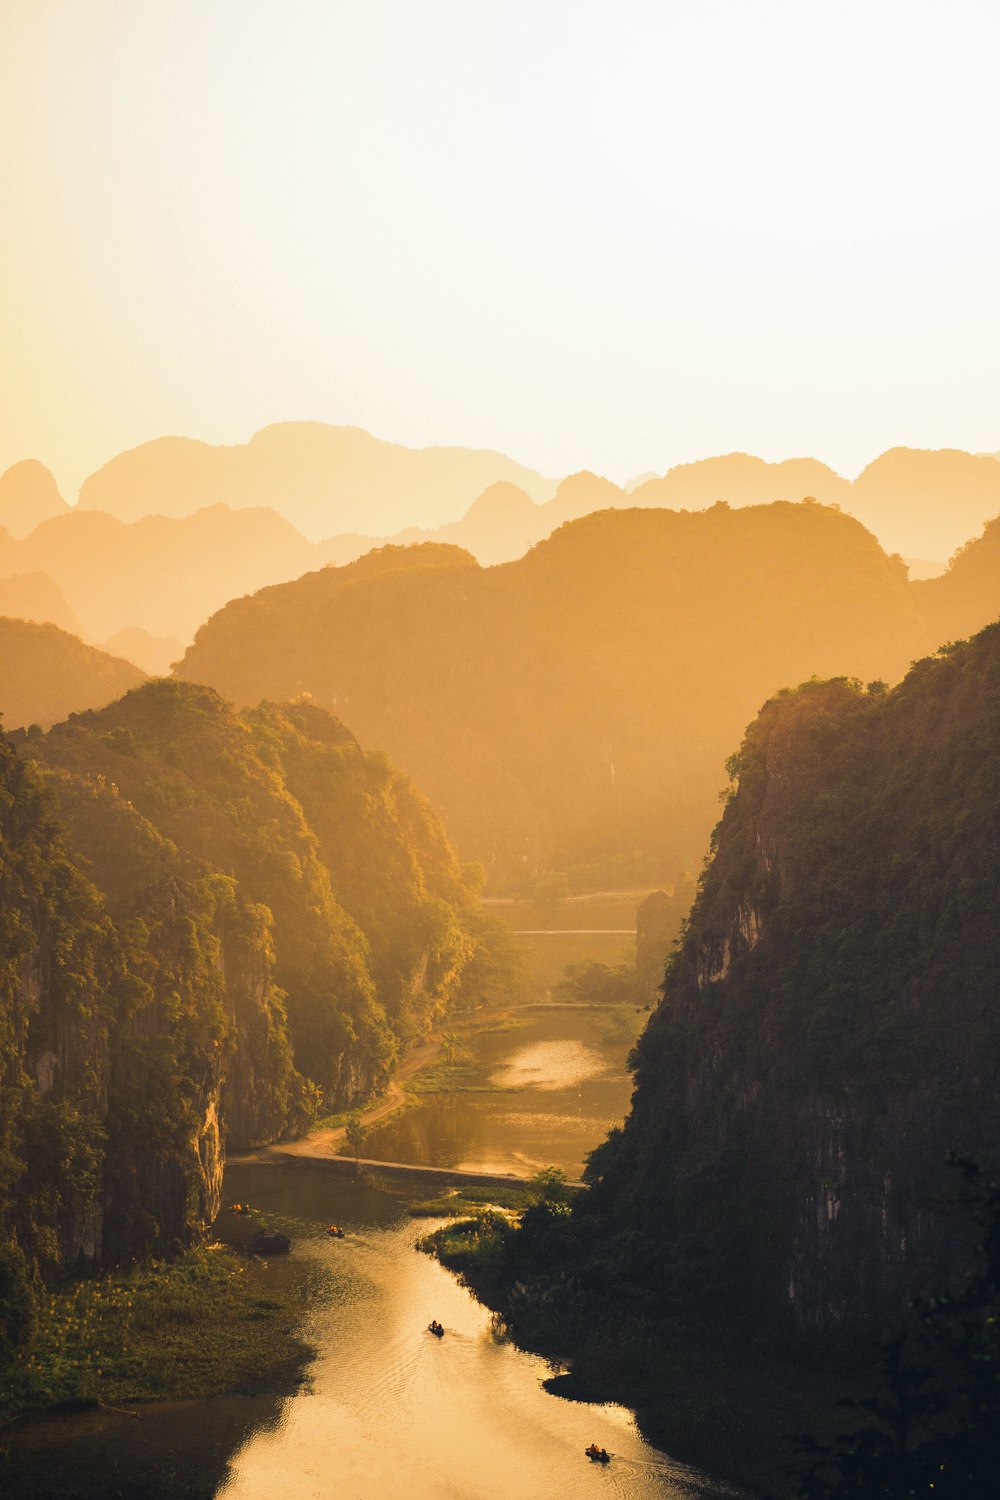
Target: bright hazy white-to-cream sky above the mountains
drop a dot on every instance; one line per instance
(590, 235)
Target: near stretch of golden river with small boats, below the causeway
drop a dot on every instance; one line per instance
(394, 1414)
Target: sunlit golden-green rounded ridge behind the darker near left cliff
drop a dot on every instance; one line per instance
(373, 923)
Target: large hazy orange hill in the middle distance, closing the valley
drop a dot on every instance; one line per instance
(584, 698)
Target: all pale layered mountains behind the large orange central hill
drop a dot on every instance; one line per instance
(169, 533)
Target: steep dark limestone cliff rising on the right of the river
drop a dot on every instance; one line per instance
(831, 1027)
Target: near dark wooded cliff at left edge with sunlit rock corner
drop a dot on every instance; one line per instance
(113, 1046)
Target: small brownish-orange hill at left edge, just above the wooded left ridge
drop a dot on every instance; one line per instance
(47, 674)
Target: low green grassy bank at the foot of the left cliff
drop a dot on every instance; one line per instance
(211, 1324)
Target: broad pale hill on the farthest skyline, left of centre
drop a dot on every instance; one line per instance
(323, 479)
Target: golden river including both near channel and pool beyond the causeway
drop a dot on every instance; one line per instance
(394, 1414)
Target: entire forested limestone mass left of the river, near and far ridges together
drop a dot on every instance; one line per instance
(236, 917)
